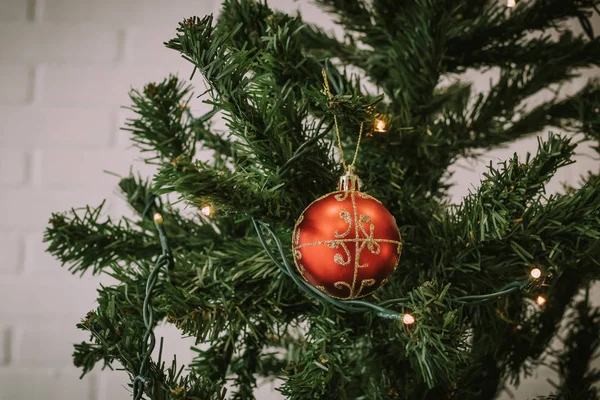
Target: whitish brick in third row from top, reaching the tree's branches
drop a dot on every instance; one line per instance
(78, 85)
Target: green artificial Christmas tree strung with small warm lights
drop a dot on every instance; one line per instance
(481, 288)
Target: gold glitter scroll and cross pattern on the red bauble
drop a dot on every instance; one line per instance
(363, 239)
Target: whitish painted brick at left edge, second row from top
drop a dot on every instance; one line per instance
(54, 43)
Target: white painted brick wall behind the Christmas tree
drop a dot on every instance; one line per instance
(66, 67)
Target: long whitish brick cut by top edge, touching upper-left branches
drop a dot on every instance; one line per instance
(126, 13)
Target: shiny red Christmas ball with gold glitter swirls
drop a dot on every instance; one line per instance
(346, 244)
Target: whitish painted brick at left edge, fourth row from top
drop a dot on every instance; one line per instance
(56, 126)
